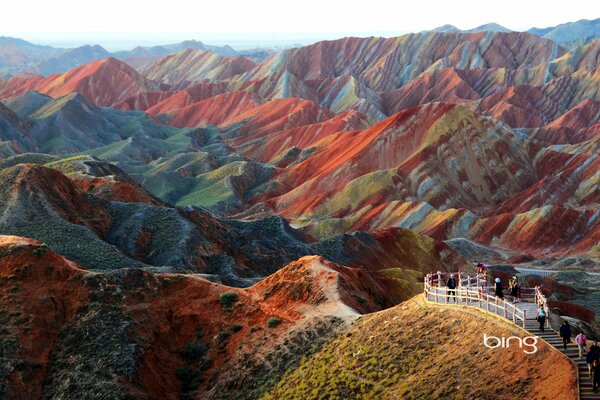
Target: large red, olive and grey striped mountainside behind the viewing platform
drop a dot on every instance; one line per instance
(414, 170)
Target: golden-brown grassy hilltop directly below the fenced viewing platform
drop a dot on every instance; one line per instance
(418, 350)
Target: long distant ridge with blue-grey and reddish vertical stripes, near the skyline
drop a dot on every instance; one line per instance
(378, 61)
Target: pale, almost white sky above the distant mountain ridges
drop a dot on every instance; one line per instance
(243, 23)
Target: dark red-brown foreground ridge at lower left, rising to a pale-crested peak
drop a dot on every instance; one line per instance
(134, 334)
